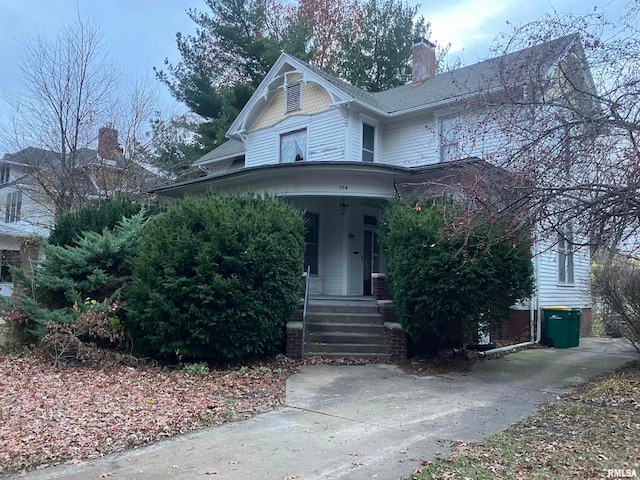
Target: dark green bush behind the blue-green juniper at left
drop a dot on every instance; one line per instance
(95, 218)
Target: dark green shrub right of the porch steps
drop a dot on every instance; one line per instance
(445, 280)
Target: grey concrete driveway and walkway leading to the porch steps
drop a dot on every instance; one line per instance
(363, 422)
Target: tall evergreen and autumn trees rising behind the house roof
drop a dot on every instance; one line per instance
(365, 42)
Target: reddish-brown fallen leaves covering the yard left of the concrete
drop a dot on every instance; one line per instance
(69, 415)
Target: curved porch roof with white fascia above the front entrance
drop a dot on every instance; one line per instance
(319, 178)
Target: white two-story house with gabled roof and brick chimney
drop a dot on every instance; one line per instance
(339, 152)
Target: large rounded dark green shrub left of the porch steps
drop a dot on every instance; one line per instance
(217, 279)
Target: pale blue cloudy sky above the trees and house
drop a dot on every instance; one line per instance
(141, 33)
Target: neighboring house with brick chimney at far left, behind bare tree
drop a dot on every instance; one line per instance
(25, 212)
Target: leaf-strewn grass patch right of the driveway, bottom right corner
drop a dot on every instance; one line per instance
(584, 435)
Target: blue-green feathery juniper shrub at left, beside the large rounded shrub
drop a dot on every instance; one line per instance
(73, 279)
